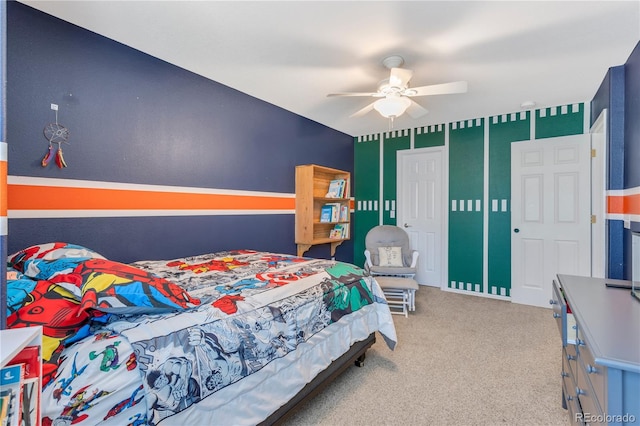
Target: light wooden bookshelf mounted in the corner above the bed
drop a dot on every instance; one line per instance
(312, 186)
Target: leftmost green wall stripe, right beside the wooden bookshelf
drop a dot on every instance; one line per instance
(366, 190)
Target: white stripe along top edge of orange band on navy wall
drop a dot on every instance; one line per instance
(76, 183)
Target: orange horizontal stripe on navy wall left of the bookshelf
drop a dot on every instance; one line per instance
(34, 197)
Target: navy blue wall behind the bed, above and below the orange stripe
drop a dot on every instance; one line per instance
(136, 119)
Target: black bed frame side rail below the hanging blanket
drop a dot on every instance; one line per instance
(356, 354)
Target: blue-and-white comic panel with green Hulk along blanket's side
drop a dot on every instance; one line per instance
(192, 363)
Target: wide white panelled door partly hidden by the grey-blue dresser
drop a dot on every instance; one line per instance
(550, 193)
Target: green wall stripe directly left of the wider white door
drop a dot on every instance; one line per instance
(502, 131)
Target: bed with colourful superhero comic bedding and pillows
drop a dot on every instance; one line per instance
(235, 337)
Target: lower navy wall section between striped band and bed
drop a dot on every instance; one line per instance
(136, 238)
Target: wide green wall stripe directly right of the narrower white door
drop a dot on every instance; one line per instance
(466, 177)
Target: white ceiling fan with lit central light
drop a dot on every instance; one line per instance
(395, 94)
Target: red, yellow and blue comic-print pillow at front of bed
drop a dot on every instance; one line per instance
(114, 287)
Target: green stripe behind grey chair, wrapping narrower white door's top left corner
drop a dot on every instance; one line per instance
(393, 142)
